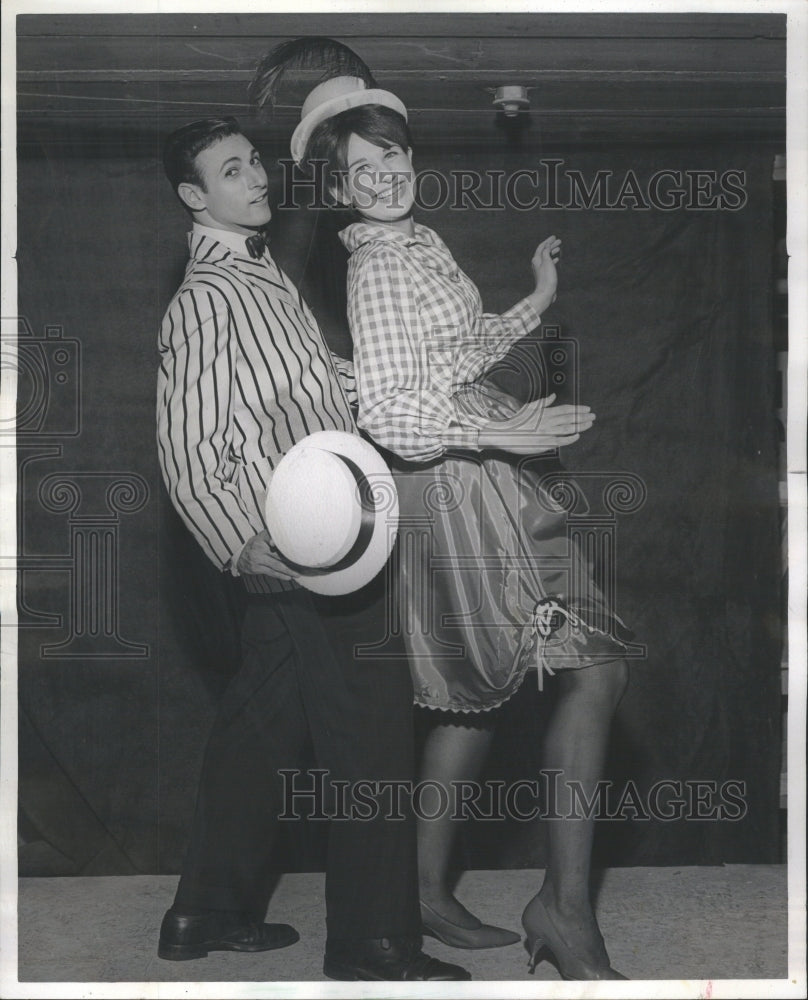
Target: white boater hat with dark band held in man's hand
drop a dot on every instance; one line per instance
(332, 511)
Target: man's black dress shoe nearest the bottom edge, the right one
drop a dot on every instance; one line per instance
(386, 960)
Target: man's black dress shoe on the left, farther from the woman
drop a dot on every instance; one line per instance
(183, 937)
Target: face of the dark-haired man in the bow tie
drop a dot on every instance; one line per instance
(234, 191)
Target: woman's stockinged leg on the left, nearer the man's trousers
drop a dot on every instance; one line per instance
(455, 750)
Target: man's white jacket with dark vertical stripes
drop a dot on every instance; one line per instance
(244, 374)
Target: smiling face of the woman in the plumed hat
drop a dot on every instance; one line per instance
(380, 182)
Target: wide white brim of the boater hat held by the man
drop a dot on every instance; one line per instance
(385, 523)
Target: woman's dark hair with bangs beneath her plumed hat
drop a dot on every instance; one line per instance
(374, 123)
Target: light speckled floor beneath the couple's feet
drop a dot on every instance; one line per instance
(659, 923)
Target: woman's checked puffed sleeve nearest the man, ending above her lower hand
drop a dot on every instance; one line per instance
(405, 400)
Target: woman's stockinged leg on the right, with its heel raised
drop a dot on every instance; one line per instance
(575, 745)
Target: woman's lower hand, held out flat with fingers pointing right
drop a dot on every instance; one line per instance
(538, 427)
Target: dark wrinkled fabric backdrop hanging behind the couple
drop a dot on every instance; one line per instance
(670, 315)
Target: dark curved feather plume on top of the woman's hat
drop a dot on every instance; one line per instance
(312, 53)
